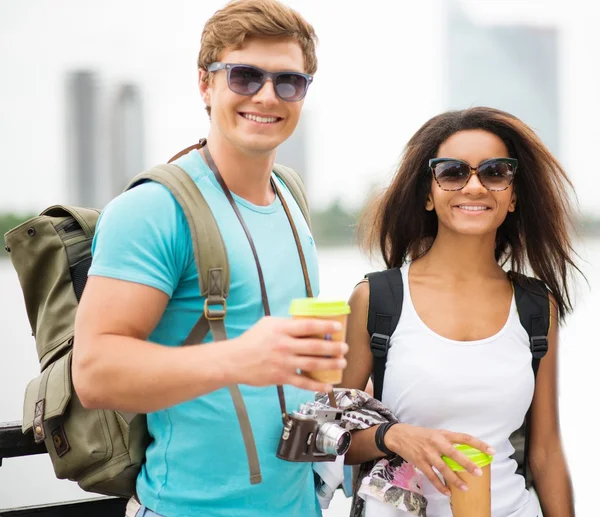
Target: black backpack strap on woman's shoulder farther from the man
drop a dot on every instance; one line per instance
(533, 306)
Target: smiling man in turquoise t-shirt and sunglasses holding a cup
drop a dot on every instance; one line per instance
(142, 296)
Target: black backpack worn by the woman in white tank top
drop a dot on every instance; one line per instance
(386, 294)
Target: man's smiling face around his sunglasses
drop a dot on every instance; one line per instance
(234, 116)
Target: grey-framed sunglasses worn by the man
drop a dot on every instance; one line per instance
(248, 79)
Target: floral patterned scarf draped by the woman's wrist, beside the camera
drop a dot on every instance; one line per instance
(391, 480)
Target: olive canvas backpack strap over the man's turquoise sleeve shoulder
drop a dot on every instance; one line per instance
(213, 278)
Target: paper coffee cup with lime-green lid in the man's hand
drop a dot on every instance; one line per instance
(314, 308)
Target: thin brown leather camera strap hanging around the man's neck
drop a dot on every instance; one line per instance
(263, 289)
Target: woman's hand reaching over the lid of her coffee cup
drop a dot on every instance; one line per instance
(424, 448)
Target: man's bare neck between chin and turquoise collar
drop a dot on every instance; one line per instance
(246, 175)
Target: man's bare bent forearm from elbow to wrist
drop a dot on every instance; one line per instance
(137, 376)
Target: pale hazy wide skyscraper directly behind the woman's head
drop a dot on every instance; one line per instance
(514, 68)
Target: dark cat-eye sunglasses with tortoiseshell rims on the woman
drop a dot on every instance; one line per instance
(495, 174)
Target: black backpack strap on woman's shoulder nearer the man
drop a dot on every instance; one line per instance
(386, 294)
